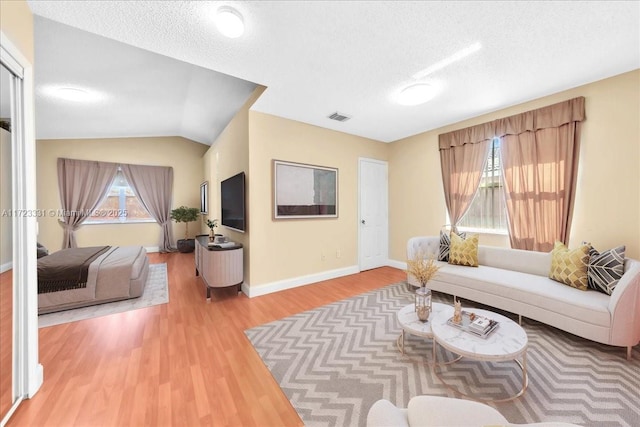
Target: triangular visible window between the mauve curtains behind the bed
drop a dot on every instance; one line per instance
(120, 206)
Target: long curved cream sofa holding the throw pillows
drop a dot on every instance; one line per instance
(517, 281)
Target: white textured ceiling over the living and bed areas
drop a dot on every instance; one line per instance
(165, 70)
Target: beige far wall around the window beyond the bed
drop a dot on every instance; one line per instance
(185, 156)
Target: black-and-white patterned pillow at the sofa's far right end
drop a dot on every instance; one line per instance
(605, 269)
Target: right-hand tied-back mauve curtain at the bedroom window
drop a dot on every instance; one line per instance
(153, 186)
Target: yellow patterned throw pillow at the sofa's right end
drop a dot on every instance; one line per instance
(570, 266)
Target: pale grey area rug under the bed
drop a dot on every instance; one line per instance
(156, 292)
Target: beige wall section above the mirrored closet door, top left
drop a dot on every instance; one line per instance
(16, 22)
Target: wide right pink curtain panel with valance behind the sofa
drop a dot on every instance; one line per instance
(540, 163)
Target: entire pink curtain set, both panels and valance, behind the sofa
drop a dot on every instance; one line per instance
(540, 163)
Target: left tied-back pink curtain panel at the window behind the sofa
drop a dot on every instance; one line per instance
(463, 154)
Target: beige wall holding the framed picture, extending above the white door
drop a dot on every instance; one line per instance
(292, 248)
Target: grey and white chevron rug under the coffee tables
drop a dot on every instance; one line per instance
(335, 361)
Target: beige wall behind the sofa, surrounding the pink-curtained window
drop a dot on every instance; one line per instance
(607, 206)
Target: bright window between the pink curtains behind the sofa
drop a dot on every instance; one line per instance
(488, 210)
